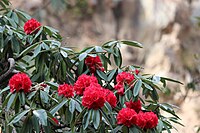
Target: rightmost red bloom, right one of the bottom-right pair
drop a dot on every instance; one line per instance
(147, 120)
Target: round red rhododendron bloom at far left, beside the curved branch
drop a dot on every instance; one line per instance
(20, 81)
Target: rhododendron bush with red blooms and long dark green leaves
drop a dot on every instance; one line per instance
(46, 87)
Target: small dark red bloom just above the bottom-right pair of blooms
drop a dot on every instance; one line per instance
(134, 105)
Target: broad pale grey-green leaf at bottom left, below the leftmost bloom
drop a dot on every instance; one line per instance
(41, 115)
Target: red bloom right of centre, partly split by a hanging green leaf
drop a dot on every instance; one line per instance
(123, 78)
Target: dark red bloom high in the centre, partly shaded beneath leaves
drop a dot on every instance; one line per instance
(94, 63)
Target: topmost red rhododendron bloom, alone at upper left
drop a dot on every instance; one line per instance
(31, 25)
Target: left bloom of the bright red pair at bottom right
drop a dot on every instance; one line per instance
(127, 117)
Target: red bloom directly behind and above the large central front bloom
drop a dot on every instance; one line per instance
(83, 82)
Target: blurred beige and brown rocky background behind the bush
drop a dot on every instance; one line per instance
(168, 29)
